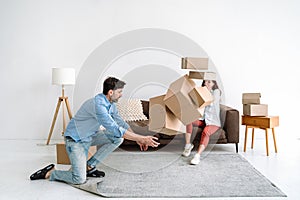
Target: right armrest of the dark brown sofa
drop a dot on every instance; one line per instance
(231, 124)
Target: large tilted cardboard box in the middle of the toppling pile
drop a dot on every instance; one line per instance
(180, 103)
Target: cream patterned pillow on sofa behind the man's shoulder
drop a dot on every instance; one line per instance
(131, 109)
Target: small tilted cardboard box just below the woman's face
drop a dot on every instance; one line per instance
(201, 96)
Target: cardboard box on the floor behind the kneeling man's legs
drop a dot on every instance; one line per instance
(62, 155)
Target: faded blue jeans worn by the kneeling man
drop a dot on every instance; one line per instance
(78, 152)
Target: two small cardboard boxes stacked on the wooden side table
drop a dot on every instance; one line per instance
(252, 106)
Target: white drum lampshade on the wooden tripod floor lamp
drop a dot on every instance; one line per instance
(63, 76)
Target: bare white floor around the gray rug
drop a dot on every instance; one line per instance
(19, 158)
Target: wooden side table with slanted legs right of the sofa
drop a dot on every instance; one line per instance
(269, 122)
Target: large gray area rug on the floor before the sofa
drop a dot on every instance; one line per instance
(217, 175)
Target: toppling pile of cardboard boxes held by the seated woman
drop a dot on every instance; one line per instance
(184, 102)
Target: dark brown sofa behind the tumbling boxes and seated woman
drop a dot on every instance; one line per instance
(228, 134)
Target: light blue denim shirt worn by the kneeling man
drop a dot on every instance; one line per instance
(93, 113)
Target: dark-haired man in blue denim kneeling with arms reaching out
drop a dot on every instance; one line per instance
(83, 131)
